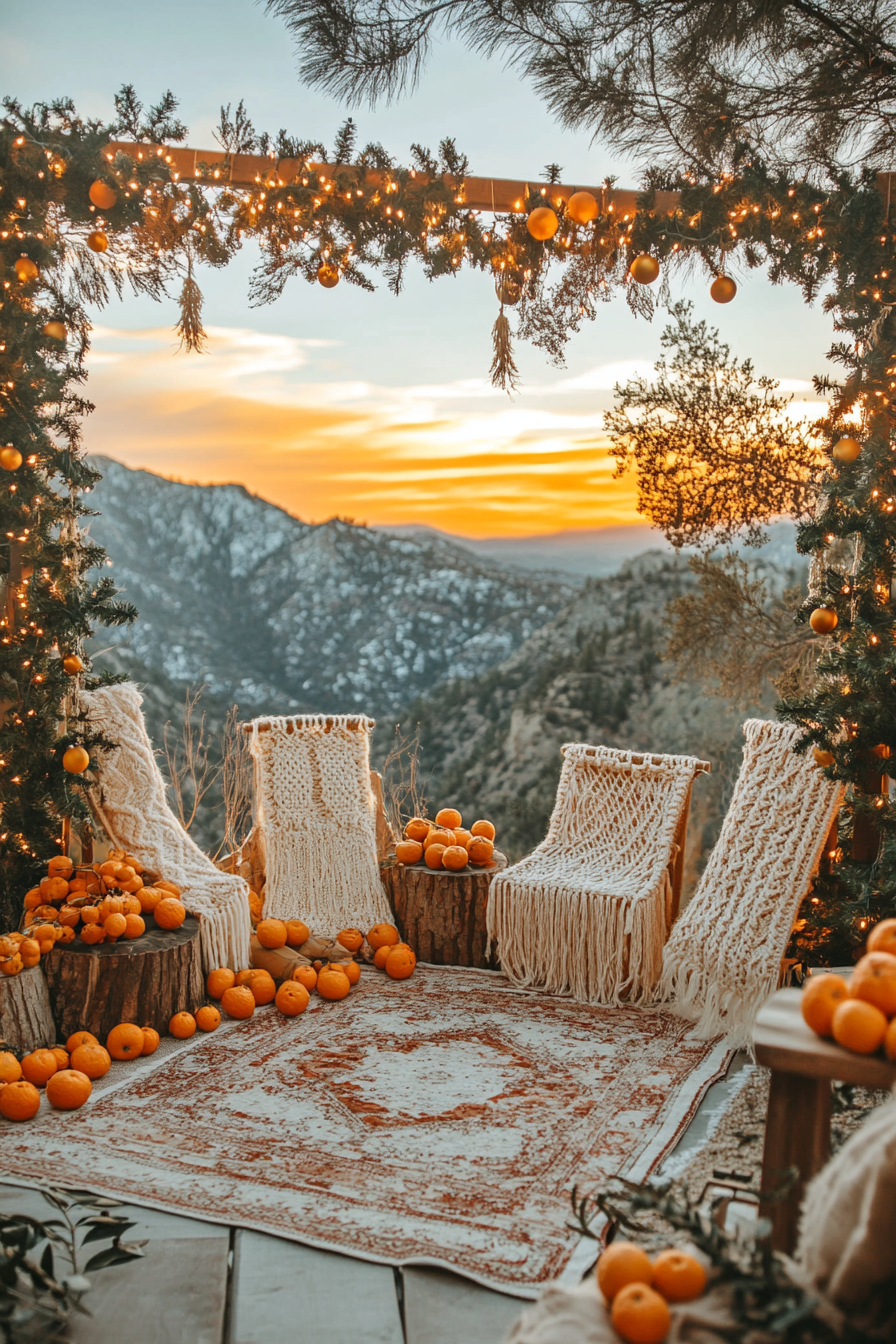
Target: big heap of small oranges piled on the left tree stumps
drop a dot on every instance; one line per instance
(99, 904)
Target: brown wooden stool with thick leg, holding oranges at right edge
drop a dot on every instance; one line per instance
(799, 1122)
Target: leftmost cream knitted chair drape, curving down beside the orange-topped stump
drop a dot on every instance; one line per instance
(132, 806)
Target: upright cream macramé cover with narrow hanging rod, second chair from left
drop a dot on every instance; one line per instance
(319, 818)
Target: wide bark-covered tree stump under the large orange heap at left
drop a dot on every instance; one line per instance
(144, 980)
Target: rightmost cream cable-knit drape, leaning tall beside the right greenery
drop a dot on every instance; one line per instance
(723, 958)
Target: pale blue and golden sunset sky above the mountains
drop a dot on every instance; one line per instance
(338, 403)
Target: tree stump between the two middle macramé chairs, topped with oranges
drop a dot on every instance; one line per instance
(441, 915)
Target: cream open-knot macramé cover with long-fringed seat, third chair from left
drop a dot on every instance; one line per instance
(586, 913)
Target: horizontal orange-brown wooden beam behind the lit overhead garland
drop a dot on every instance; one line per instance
(503, 196)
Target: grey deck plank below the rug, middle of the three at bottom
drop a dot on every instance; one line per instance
(280, 1288)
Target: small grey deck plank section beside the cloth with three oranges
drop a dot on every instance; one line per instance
(441, 1308)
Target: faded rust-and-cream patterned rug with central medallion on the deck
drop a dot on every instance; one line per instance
(436, 1122)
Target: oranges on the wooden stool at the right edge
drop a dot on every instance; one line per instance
(860, 1013)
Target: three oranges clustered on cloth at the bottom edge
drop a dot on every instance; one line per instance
(639, 1291)
